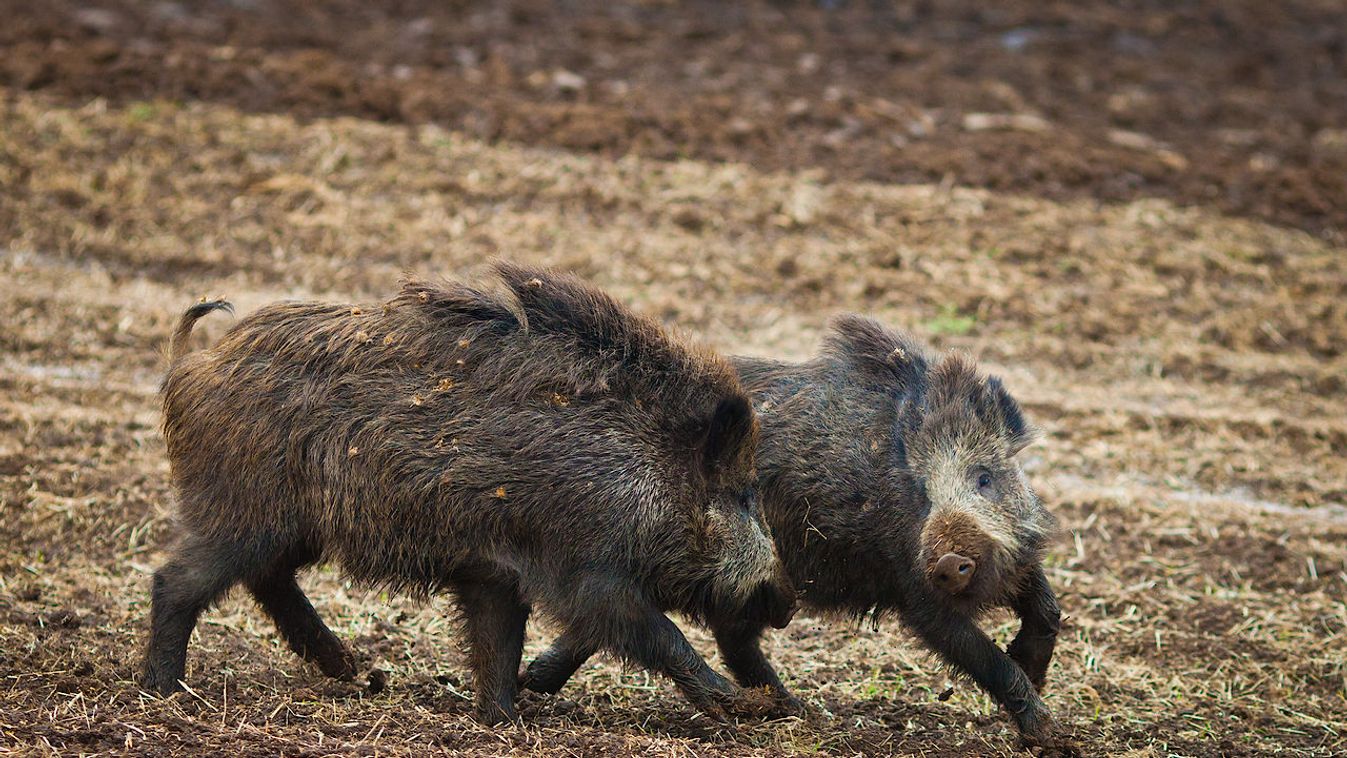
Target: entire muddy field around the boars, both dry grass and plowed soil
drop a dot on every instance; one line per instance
(1135, 213)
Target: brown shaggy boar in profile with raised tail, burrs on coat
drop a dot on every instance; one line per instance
(537, 449)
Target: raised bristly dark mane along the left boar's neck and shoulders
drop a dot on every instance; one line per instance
(554, 332)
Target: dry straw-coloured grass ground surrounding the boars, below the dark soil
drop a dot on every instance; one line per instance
(1187, 370)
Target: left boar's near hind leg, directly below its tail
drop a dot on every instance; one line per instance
(199, 573)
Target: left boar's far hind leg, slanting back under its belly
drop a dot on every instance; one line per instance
(298, 623)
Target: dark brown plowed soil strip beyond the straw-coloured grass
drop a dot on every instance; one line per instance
(1235, 106)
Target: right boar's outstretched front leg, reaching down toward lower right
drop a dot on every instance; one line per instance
(965, 647)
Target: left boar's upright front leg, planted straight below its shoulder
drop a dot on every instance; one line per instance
(495, 619)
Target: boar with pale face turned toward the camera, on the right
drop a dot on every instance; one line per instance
(891, 487)
